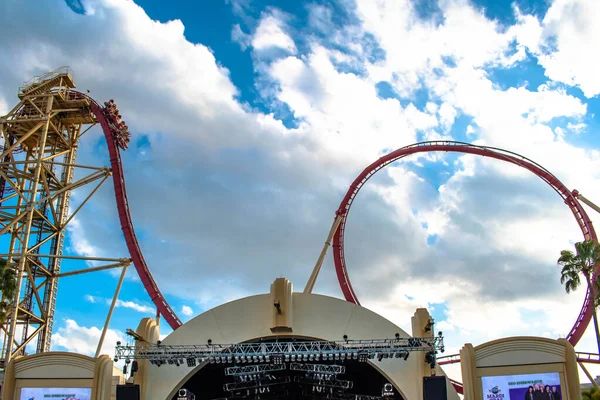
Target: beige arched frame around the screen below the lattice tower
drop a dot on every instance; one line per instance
(60, 370)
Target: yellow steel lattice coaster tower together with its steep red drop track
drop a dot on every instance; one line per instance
(38, 172)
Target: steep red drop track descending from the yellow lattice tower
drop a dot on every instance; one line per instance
(125, 217)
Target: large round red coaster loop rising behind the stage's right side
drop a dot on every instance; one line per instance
(569, 198)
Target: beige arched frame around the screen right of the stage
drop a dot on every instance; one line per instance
(516, 356)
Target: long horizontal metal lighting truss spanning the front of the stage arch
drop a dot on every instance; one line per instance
(264, 351)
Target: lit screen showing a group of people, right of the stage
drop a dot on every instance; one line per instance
(522, 387)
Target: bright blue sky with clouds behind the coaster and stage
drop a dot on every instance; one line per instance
(251, 118)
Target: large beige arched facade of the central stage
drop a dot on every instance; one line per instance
(314, 316)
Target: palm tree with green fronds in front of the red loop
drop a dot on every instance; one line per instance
(582, 262)
